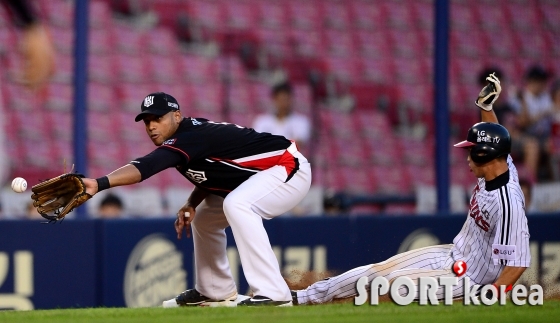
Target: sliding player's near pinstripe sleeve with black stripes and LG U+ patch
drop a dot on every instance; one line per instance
(511, 242)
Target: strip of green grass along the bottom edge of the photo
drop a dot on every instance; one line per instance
(385, 312)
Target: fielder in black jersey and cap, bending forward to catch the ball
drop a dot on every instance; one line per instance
(241, 177)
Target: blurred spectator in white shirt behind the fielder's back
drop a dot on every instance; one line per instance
(284, 121)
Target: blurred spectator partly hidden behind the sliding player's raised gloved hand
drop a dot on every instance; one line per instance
(524, 146)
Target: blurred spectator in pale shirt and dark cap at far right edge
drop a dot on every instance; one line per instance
(535, 105)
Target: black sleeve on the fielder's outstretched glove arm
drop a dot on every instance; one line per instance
(157, 161)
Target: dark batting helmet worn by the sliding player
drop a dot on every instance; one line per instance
(488, 141)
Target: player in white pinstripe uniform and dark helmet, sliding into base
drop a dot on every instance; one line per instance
(494, 241)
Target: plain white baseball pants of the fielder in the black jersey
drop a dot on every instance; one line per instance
(264, 195)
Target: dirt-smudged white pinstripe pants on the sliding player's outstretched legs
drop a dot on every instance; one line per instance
(434, 261)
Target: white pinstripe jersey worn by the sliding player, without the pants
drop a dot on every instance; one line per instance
(496, 232)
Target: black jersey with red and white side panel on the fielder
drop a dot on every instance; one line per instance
(219, 157)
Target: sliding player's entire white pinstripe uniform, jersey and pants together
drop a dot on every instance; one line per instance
(496, 225)
